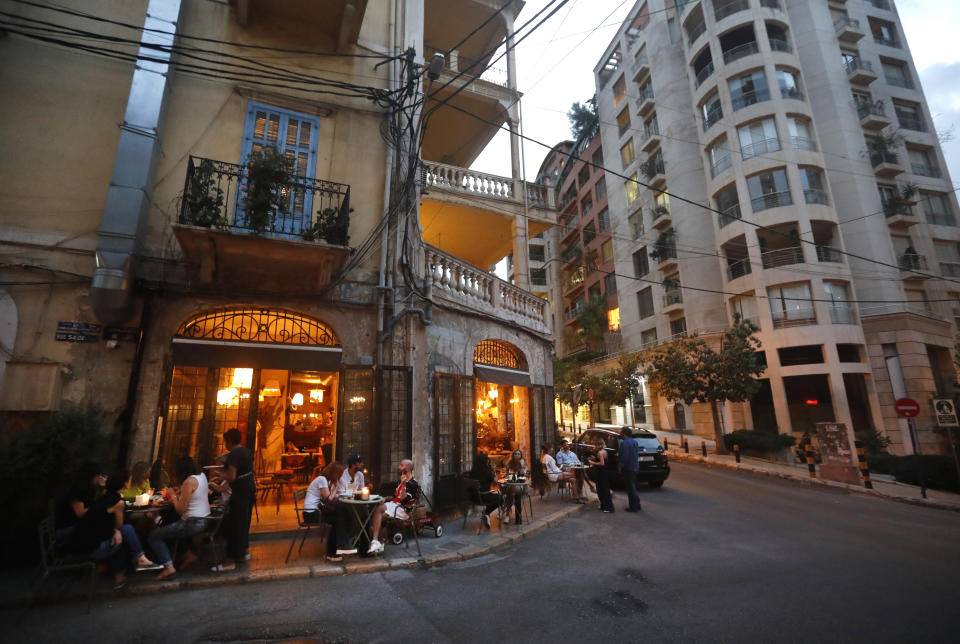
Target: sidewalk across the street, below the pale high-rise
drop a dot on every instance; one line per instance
(883, 486)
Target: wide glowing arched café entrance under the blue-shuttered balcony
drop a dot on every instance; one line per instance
(273, 374)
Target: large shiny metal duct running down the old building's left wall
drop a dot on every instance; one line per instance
(134, 169)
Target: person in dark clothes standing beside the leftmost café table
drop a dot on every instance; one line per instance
(239, 472)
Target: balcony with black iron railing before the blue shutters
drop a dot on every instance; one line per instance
(306, 234)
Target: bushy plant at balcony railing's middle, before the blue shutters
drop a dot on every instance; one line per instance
(269, 175)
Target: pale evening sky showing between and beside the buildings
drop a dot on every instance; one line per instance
(555, 68)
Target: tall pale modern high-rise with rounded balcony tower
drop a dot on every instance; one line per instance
(785, 167)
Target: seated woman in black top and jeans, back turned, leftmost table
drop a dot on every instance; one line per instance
(101, 531)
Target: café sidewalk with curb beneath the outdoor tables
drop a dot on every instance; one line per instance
(268, 551)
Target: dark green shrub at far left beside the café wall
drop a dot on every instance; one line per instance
(38, 464)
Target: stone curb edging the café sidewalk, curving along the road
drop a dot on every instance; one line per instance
(286, 573)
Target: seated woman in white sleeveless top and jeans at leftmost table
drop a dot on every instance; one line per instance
(193, 506)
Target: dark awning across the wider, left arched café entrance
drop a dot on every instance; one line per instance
(188, 352)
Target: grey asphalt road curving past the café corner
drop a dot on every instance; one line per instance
(715, 556)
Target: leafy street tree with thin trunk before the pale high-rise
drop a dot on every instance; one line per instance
(688, 369)
